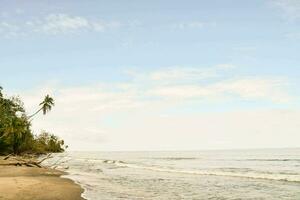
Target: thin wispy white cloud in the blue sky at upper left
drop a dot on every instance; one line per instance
(54, 24)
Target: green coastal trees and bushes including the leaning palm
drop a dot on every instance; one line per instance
(16, 135)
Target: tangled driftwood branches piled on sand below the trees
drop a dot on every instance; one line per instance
(23, 161)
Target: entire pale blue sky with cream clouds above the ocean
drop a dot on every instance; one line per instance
(157, 75)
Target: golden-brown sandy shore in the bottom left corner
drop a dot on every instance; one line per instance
(32, 183)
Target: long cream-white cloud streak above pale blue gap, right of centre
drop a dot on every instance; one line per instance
(248, 89)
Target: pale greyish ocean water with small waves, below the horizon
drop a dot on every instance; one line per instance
(269, 174)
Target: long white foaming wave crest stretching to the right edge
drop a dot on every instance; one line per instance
(251, 175)
